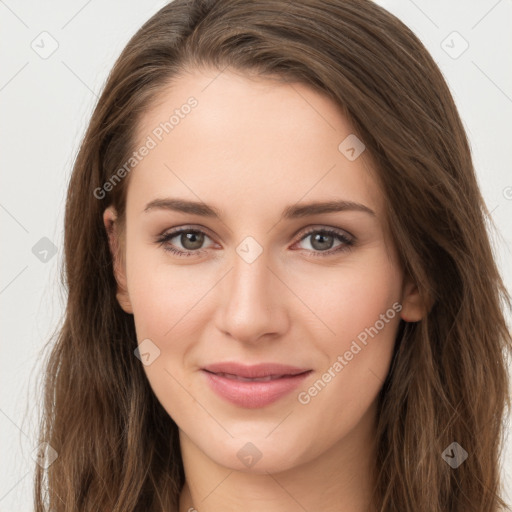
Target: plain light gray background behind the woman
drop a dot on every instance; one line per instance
(47, 102)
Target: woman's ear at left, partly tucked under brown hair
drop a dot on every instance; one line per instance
(116, 249)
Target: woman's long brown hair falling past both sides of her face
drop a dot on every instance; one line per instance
(117, 447)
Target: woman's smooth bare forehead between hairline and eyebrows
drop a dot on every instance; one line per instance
(252, 142)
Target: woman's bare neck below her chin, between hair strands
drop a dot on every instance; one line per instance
(341, 478)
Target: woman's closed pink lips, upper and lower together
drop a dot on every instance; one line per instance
(229, 380)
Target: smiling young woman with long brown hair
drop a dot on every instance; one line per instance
(282, 295)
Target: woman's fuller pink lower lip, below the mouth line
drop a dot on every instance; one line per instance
(255, 394)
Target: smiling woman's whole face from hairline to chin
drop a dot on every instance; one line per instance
(253, 276)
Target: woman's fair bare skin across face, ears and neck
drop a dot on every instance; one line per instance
(252, 147)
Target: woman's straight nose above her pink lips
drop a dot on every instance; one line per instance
(252, 303)
